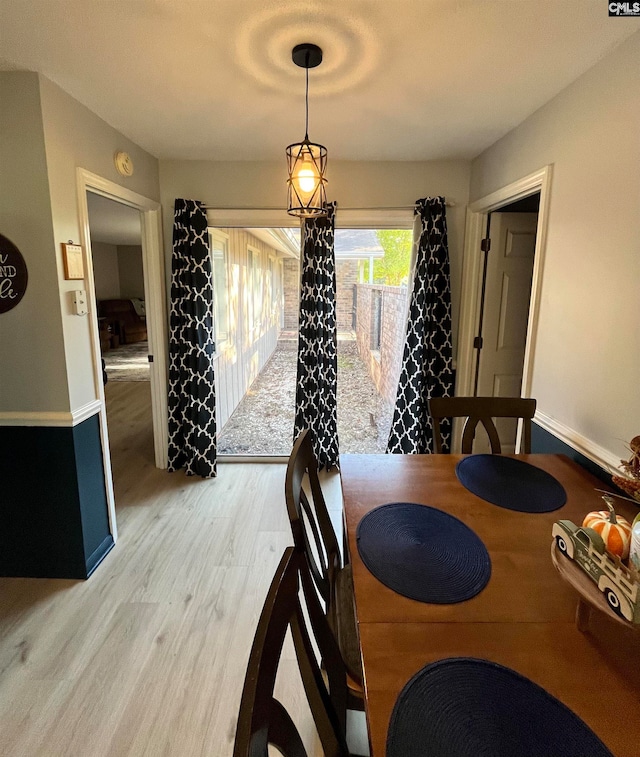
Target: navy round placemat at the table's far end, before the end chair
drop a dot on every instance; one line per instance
(511, 483)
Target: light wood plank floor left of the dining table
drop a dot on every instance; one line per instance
(148, 656)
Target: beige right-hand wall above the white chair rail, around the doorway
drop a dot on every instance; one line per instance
(587, 361)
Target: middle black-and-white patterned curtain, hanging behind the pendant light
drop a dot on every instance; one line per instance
(316, 386)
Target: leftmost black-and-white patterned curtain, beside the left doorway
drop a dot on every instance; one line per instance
(192, 395)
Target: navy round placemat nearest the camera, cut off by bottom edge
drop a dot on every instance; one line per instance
(465, 707)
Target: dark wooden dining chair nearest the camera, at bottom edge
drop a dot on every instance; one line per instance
(263, 720)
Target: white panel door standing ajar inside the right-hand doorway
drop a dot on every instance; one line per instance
(506, 312)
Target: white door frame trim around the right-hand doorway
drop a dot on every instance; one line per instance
(476, 224)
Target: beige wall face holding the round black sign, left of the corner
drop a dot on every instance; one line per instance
(32, 368)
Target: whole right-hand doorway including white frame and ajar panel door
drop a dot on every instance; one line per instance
(501, 296)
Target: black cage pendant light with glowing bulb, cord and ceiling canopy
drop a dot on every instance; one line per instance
(307, 161)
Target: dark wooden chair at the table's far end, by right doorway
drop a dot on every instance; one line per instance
(481, 410)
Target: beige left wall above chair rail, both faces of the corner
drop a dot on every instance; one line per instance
(46, 135)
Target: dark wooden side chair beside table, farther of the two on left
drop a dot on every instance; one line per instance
(314, 536)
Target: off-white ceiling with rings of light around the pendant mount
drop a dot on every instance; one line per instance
(400, 80)
